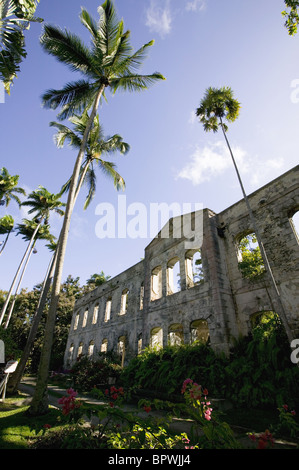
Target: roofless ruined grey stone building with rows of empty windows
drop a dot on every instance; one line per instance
(213, 300)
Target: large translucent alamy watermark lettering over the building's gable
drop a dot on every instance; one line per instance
(137, 220)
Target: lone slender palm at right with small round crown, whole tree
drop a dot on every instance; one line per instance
(217, 106)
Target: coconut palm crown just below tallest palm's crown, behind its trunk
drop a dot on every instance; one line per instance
(97, 146)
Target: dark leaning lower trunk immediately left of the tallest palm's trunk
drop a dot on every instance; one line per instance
(16, 377)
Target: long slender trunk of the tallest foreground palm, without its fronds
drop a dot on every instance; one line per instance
(39, 404)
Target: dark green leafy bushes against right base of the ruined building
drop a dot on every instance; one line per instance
(258, 372)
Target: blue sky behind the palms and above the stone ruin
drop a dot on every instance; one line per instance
(198, 43)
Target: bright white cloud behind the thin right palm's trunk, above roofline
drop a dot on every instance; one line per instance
(214, 159)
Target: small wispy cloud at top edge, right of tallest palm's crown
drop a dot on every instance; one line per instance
(159, 18)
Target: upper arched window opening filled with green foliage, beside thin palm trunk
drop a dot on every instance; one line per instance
(250, 259)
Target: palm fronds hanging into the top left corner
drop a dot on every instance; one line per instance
(15, 17)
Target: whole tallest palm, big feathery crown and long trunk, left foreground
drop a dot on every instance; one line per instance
(109, 63)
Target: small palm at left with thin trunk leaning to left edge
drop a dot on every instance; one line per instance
(42, 203)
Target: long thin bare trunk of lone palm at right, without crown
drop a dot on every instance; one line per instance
(279, 306)
